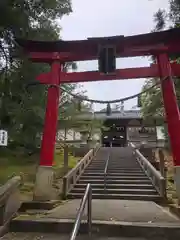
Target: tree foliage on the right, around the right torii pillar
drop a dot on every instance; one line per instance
(152, 102)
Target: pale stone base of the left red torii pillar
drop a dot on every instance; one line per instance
(43, 190)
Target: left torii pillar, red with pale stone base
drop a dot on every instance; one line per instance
(44, 177)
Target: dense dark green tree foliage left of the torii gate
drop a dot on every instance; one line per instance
(22, 109)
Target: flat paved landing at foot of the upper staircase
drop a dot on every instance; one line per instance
(117, 210)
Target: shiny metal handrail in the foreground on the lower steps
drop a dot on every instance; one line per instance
(86, 198)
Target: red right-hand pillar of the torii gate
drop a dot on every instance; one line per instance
(172, 113)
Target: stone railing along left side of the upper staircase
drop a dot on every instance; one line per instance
(70, 179)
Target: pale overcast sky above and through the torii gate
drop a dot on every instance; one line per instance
(98, 18)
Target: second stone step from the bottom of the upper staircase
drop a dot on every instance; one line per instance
(117, 191)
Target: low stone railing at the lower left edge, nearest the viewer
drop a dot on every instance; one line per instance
(9, 199)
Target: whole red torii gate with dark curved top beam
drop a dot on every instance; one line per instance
(159, 44)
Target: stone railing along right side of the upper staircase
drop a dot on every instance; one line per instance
(155, 176)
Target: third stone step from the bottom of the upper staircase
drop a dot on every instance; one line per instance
(117, 186)
